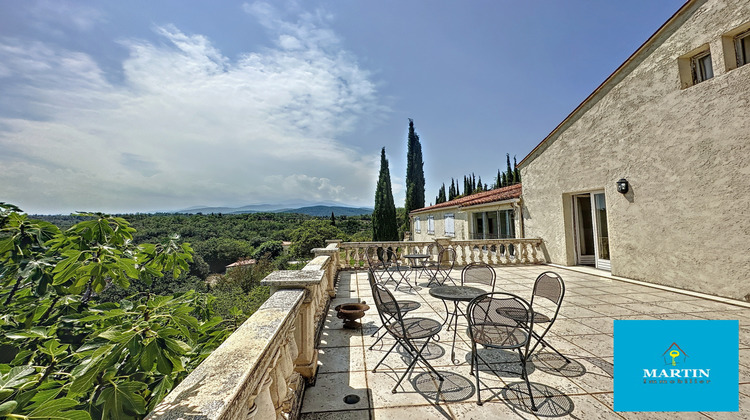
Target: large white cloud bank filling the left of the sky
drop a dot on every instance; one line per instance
(188, 126)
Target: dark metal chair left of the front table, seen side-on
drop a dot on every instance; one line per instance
(406, 331)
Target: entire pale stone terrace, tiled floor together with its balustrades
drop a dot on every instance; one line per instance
(293, 358)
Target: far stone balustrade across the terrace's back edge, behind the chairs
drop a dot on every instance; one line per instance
(490, 251)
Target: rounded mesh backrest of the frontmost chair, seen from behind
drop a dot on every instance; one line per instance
(506, 311)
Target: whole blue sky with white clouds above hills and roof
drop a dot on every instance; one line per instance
(144, 106)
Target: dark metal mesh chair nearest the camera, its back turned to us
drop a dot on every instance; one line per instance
(500, 321)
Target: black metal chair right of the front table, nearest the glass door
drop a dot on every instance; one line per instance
(550, 286)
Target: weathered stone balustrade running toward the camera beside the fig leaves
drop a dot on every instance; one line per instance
(260, 371)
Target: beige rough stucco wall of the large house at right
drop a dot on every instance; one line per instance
(685, 152)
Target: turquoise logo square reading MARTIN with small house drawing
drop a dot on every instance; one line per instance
(676, 365)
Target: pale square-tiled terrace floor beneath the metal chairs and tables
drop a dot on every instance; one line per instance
(583, 331)
